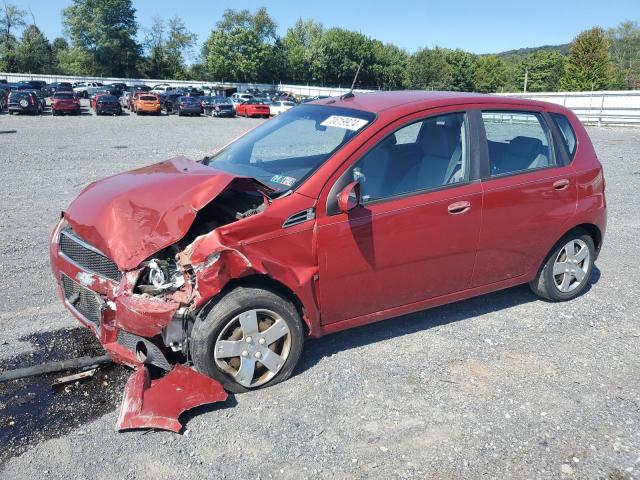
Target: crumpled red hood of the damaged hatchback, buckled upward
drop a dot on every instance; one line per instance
(132, 215)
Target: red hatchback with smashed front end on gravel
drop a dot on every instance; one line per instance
(337, 213)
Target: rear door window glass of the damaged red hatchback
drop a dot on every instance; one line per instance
(517, 141)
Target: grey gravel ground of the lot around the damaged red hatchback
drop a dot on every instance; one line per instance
(500, 386)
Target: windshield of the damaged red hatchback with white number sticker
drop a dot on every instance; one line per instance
(287, 149)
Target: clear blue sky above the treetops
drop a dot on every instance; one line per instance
(488, 26)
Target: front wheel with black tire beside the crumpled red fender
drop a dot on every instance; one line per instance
(243, 329)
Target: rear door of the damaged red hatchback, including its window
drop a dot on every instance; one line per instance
(529, 196)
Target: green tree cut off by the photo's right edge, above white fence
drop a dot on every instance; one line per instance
(625, 52)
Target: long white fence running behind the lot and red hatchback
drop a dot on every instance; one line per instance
(600, 108)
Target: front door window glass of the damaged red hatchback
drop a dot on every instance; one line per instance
(423, 155)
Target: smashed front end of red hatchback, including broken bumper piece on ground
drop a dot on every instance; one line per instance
(121, 256)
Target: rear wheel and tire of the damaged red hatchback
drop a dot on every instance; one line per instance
(567, 269)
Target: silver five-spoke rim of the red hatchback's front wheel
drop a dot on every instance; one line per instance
(253, 347)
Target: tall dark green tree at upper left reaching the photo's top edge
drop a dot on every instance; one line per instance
(102, 34)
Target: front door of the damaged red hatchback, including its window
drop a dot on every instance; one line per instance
(415, 236)
